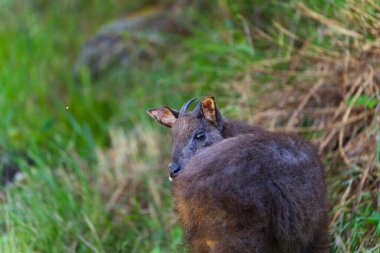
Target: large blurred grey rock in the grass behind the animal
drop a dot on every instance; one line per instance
(138, 35)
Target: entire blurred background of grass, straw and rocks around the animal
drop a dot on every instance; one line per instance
(84, 169)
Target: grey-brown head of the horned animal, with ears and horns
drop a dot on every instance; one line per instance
(192, 131)
